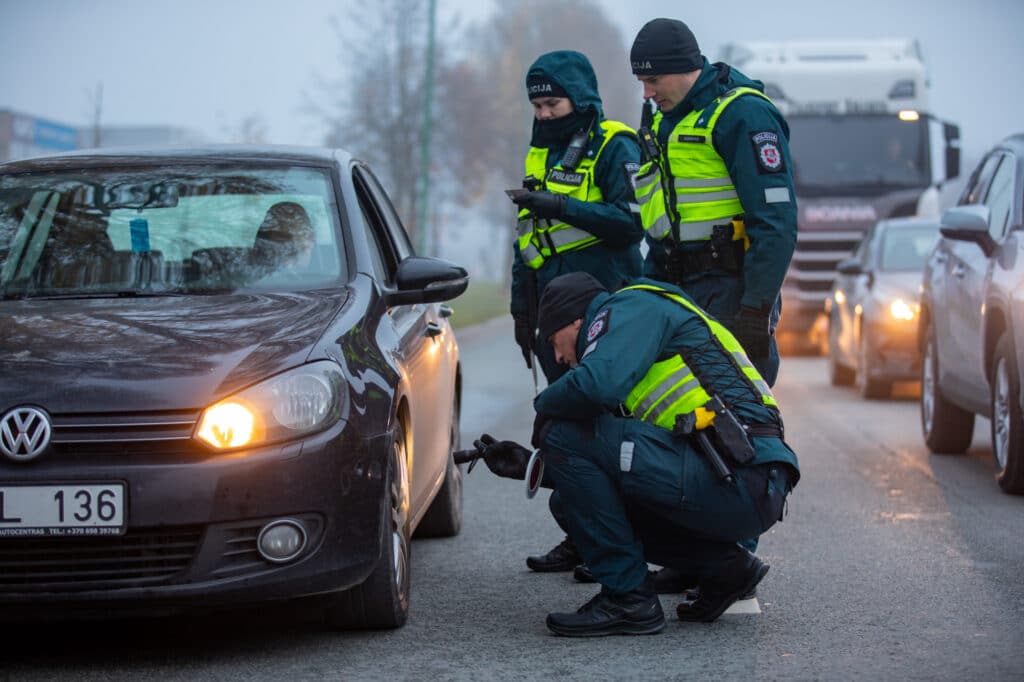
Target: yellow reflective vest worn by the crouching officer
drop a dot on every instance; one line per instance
(670, 389)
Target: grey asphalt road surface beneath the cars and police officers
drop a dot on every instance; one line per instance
(892, 565)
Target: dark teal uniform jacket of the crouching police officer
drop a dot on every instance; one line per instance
(623, 335)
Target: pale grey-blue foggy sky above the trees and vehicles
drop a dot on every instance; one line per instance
(208, 65)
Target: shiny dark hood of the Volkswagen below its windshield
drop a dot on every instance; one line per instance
(129, 355)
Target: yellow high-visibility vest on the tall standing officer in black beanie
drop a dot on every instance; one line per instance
(690, 186)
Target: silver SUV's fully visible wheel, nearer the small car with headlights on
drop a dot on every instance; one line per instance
(948, 429)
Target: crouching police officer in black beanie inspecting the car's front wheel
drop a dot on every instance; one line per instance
(665, 444)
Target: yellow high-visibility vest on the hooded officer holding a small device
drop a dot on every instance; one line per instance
(540, 239)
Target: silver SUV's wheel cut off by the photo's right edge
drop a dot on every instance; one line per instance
(1008, 422)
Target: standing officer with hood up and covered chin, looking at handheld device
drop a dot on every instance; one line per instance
(576, 211)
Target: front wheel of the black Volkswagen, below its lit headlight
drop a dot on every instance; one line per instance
(382, 601)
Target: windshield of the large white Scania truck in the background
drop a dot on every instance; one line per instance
(871, 154)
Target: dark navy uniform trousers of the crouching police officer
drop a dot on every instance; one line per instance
(655, 499)
